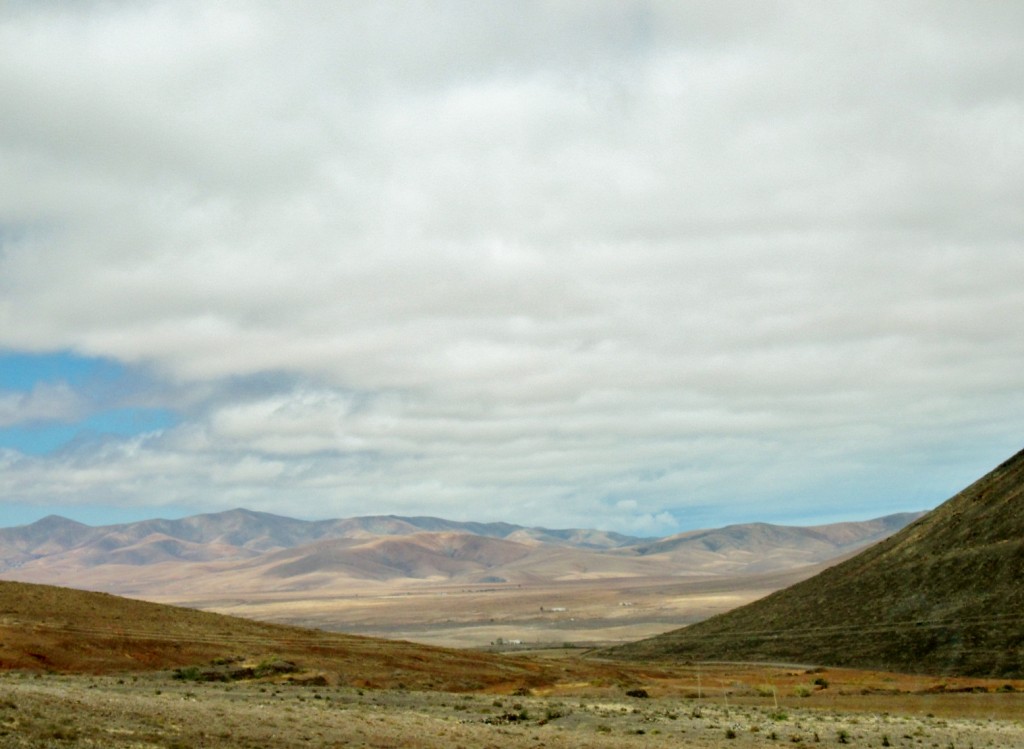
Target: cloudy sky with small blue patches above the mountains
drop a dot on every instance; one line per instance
(645, 267)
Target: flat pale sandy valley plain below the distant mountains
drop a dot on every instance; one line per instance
(584, 613)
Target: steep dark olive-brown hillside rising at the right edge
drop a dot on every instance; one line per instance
(944, 596)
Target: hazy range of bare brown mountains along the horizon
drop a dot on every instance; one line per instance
(241, 551)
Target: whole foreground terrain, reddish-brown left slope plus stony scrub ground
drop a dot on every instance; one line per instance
(81, 670)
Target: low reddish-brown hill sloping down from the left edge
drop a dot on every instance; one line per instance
(50, 629)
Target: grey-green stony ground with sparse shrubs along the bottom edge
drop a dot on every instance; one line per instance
(159, 711)
